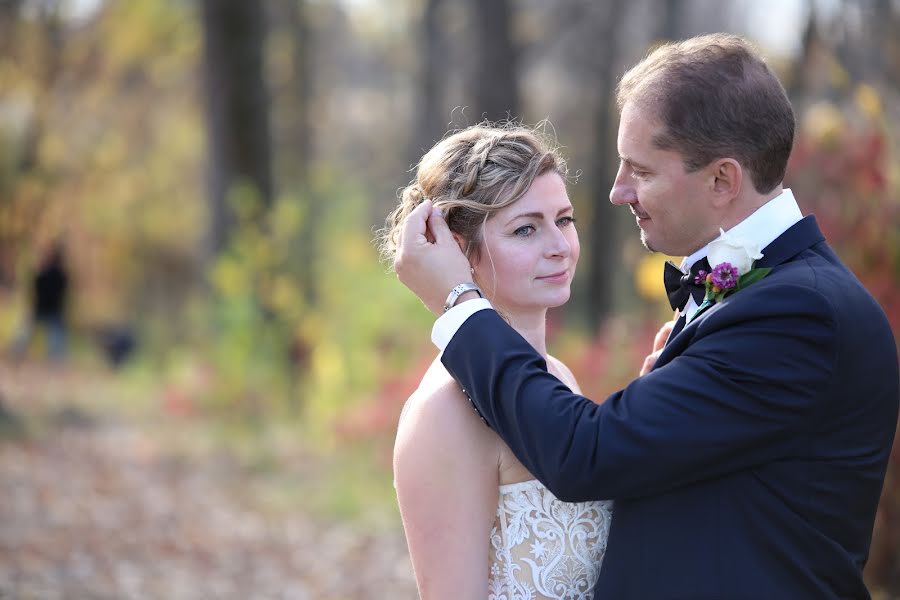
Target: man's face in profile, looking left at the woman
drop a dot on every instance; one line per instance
(671, 206)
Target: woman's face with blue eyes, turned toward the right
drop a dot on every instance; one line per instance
(530, 249)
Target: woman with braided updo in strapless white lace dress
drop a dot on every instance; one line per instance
(477, 523)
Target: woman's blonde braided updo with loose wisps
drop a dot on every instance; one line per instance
(472, 174)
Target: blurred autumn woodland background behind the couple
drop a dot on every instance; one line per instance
(203, 360)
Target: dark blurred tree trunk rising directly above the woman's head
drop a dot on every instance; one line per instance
(496, 87)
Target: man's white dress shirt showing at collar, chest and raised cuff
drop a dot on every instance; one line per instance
(762, 227)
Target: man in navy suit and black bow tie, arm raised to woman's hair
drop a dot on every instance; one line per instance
(749, 461)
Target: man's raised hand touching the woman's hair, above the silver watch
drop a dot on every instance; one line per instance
(428, 259)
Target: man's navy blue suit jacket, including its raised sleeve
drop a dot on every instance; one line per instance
(747, 464)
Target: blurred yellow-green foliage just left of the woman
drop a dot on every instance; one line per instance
(271, 349)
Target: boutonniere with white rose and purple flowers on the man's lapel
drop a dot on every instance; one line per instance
(732, 259)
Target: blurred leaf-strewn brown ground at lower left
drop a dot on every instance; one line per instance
(97, 510)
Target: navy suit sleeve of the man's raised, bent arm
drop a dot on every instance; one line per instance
(743, 393)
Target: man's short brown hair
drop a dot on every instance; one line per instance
(715, 97)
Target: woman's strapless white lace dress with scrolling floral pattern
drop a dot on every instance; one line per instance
(542, 547)
